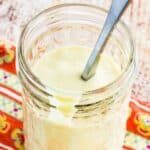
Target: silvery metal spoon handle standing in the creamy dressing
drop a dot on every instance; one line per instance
(117, 7)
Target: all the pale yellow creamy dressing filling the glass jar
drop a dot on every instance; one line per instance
(61, 68)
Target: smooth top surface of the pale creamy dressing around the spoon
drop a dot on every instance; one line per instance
(61, 68)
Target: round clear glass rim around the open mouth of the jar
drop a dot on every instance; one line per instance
(48, 90)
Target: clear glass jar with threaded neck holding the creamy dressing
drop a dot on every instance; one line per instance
(100, 118)
